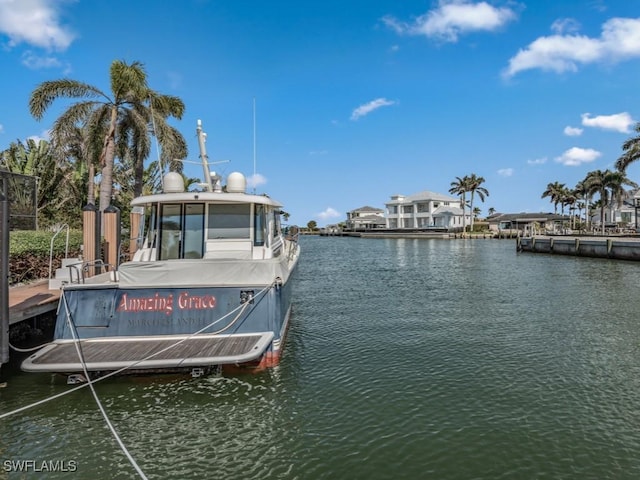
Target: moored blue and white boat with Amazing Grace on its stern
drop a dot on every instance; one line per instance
(207, 289)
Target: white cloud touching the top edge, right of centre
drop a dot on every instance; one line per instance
(452, 18)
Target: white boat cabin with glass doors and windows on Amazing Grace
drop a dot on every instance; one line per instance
(208, 225)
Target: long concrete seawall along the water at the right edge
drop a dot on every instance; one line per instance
(621, 248)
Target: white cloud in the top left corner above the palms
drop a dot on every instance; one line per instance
(34, 22)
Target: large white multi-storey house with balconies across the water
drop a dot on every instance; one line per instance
(425, 210)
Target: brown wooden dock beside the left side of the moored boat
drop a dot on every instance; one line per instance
(29, 301)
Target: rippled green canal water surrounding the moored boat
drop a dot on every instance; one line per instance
(435, 359)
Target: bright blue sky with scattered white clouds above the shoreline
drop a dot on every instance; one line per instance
(356, 100)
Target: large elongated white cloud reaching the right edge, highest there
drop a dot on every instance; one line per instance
(619, 40)
